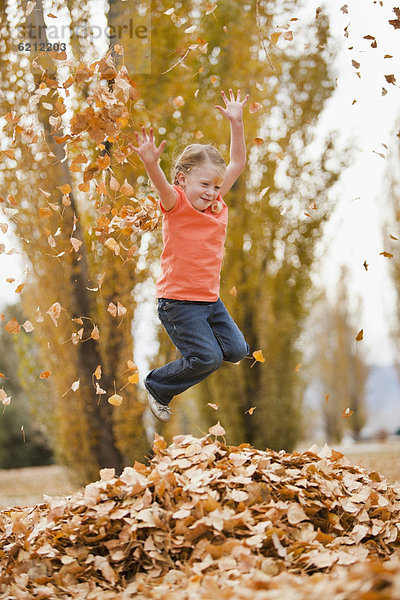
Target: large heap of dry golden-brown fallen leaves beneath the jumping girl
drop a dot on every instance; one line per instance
(204, 517)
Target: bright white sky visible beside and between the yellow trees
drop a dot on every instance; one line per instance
(354, 232)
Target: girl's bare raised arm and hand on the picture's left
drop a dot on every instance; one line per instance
(150, 154)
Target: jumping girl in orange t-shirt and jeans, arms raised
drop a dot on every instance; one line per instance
(194, 228)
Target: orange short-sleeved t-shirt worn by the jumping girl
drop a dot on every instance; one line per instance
(193, 249)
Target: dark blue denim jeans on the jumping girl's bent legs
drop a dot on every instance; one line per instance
(205, 334)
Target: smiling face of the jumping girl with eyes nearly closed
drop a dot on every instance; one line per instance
(201, 185)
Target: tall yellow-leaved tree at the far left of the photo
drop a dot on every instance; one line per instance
(60, 235)
